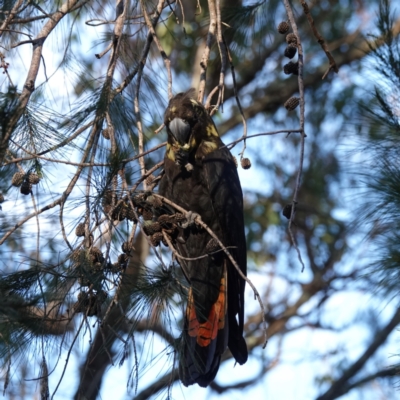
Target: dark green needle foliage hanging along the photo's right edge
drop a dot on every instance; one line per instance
(381, 209)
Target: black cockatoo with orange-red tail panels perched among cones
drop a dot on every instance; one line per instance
(200, 175)
